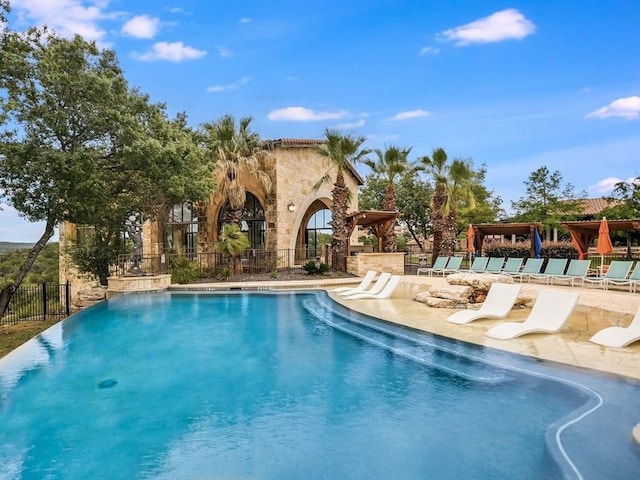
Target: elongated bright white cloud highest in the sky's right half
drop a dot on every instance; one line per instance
(507, 24)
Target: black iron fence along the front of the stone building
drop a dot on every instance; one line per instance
(254, 260)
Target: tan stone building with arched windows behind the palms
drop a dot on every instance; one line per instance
(291, 216)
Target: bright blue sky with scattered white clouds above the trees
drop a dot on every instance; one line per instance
(516, 85)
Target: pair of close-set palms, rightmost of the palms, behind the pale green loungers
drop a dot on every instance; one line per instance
(453, 182)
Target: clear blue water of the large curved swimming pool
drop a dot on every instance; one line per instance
(293, 386)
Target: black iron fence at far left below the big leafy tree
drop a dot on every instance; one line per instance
(38, 302)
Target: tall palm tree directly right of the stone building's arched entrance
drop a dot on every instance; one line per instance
(340, 152)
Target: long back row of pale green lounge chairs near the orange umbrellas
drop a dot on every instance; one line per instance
(557, 271)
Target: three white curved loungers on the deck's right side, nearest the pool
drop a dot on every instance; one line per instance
(550, 312)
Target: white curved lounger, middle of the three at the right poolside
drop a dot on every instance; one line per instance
(548, 315)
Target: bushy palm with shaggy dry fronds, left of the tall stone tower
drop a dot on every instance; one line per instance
(235, 151)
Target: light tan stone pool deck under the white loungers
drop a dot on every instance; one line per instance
(597, 309)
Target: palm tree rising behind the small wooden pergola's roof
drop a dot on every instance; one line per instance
(391, 164)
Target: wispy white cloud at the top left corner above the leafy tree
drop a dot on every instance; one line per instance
(66, 17)
